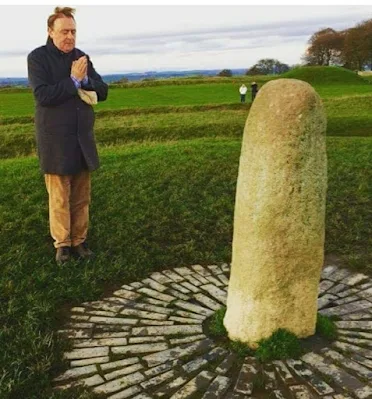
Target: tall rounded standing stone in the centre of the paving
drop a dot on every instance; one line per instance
(279, 216)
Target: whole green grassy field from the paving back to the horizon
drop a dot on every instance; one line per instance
(164, 199)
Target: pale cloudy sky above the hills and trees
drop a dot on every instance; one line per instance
(128, 38)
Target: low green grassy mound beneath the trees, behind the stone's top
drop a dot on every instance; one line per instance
(320, 75)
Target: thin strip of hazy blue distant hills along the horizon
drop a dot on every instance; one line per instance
(134, 76)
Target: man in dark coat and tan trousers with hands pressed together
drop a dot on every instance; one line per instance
(64, 84)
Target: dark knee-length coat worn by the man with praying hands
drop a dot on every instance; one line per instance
(64, 123)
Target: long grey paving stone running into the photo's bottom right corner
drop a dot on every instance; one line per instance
(343, 379)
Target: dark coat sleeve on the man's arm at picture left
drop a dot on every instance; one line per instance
(45, 93)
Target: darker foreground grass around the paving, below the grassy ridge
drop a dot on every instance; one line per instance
(155, 206)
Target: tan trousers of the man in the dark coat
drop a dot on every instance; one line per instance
(69, 198)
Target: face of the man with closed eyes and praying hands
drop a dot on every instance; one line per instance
(63, 34)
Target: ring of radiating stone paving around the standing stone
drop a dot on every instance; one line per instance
(147, 341)
